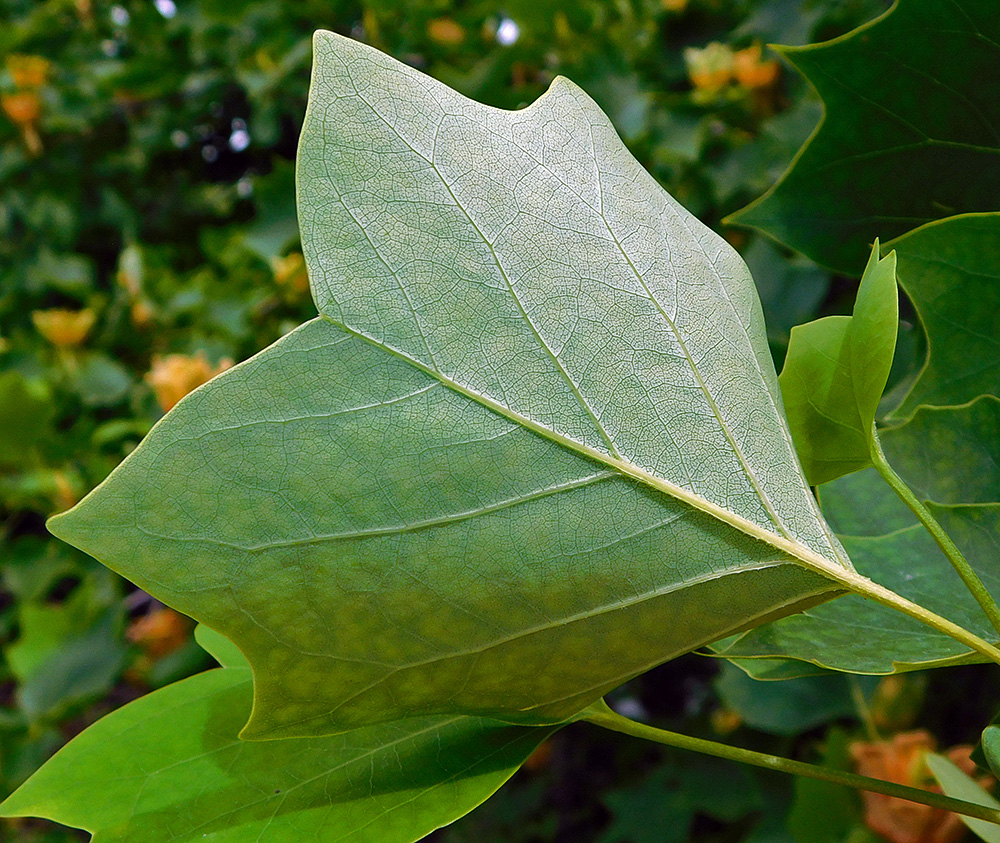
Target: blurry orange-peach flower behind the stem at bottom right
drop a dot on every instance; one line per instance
(902, 760)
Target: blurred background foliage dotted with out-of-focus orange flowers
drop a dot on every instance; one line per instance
(148, 240)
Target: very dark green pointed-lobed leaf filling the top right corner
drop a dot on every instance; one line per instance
(909, 132)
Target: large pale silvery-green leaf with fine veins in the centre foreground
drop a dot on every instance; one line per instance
(533, 446)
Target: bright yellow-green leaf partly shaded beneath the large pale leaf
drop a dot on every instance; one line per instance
(171, 767)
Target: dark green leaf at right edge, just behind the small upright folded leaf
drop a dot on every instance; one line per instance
(951, 272)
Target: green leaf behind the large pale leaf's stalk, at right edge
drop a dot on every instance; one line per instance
(859, 636)
